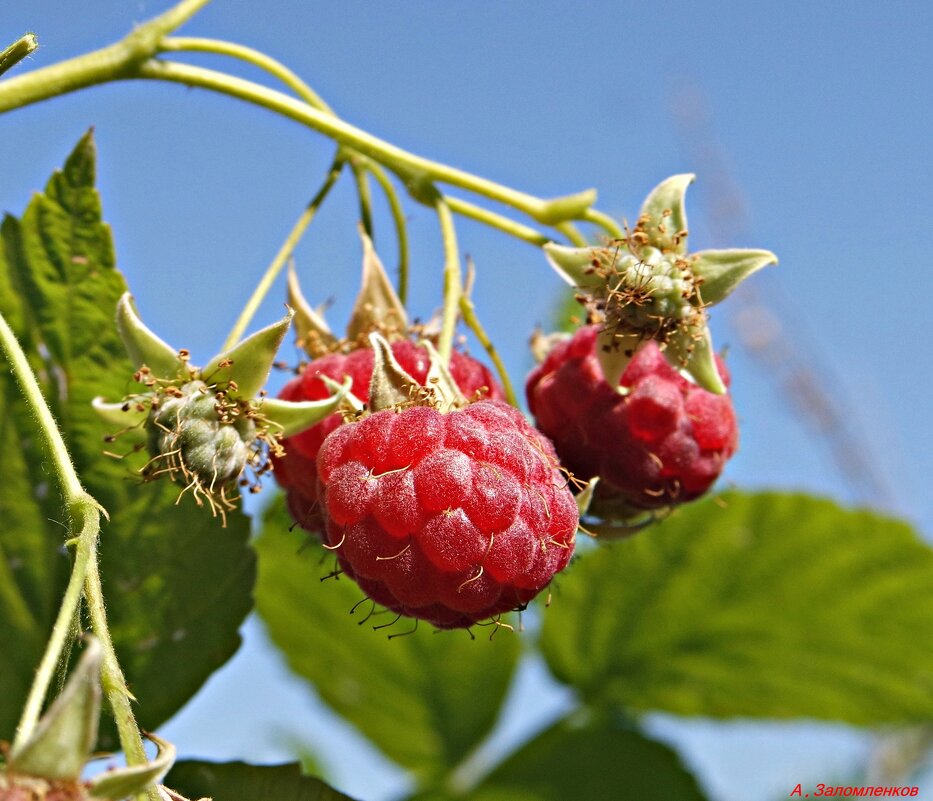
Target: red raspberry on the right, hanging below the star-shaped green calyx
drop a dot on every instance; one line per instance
(662, 443)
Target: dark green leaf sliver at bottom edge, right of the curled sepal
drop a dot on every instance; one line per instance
(238, 781)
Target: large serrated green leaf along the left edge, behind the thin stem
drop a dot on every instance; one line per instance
(177, 585)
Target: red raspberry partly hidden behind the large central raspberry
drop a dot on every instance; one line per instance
(296, 471)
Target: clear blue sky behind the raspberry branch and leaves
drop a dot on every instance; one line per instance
(809, 123)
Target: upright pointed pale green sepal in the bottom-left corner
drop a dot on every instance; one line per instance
(64, 737)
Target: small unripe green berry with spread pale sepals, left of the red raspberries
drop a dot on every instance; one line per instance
(210, 429)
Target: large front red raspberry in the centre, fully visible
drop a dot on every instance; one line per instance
(452, 518)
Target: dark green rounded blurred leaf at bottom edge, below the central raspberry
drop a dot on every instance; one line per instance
(598, 761)
